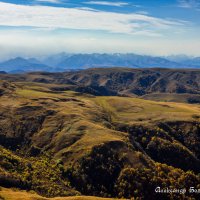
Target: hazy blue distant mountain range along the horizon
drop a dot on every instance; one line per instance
(65, 62)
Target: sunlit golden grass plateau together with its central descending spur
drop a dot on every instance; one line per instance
(85, 116)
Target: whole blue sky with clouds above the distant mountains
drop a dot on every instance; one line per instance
(33, 28)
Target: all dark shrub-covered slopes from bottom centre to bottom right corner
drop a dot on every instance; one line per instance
(103, 173)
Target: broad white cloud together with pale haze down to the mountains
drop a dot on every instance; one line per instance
(144, 34)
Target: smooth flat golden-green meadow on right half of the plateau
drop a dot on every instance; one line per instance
(140, 111)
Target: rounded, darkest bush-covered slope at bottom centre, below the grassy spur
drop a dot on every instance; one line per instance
(96, 173)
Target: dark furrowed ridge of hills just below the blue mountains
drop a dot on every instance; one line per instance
(181, 84)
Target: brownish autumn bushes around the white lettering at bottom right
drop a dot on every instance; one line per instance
(141, 183)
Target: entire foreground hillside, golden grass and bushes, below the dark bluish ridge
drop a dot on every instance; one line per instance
(60, 142)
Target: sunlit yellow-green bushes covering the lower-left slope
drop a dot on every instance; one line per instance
(41, 174)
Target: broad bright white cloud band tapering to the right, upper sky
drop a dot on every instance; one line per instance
(80, 19)
